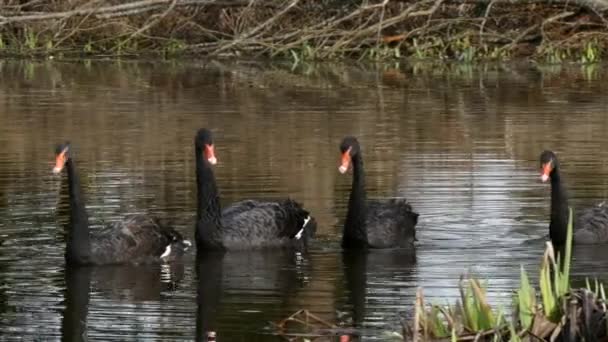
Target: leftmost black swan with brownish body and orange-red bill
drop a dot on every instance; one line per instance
(135, 239)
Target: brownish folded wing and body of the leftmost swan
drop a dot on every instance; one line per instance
(132, 239)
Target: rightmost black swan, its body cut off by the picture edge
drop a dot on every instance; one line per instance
(590, 227)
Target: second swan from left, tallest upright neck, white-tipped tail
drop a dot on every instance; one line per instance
(247, 224)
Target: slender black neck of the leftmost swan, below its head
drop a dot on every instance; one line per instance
(78, 249)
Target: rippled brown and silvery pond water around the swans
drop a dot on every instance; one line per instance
(461, 143)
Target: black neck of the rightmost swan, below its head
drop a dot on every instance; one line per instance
(558, 228)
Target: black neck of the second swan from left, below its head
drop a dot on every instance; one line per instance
(209, 209)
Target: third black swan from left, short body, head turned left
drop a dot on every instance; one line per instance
(373, 224)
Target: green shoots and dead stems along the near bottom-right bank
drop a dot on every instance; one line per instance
(556, 312)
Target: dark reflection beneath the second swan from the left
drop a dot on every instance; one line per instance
(233, 282)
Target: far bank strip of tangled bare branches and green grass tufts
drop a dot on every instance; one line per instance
(465, 30)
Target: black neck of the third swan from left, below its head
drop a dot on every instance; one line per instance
(355, 232)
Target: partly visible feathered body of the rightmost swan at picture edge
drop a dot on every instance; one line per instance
(591, 226)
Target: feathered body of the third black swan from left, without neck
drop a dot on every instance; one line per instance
(391, 223)
